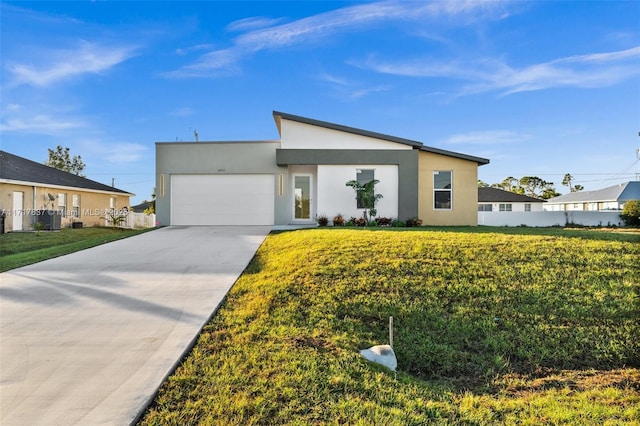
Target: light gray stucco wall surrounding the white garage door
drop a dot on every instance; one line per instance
(215, 158)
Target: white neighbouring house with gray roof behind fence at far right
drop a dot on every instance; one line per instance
(611, 198)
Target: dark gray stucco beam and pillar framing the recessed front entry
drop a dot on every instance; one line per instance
(407, 161)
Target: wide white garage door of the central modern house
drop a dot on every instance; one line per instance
(222, 199)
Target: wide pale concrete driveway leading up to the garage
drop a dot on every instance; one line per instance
(88, 338)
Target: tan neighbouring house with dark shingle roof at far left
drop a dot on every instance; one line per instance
(33, 193)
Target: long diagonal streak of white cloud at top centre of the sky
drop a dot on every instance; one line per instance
(323, 25)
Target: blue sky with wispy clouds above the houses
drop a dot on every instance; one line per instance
(540, 88)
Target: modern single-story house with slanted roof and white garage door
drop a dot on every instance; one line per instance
(303, 175)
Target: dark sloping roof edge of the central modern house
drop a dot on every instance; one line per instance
(415, 144)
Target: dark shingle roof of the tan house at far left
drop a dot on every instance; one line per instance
(20, 169)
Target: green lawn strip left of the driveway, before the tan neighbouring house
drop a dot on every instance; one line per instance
(24, 248)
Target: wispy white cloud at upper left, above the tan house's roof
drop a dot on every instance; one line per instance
(59, 65)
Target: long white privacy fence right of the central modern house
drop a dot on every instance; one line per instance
(550, 218)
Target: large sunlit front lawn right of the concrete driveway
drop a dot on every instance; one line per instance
(519, 326)
